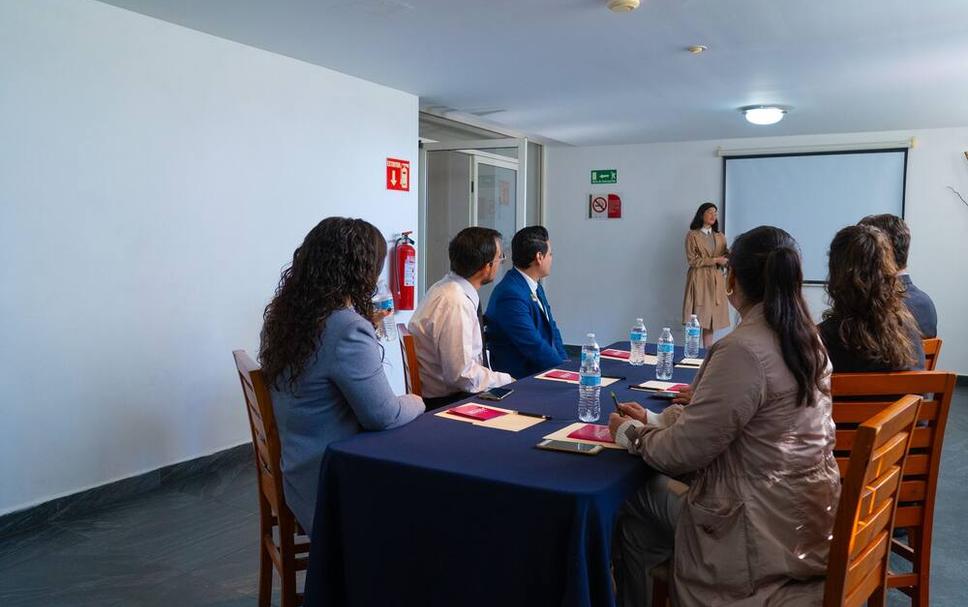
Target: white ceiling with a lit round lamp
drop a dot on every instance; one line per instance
(572, 71)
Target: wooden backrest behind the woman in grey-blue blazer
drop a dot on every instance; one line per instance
(265, 439)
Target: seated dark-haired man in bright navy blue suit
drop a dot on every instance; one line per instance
(522, 336)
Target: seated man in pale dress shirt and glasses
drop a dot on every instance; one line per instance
(446, 326)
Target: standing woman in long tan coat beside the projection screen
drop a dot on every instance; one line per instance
(705, 287)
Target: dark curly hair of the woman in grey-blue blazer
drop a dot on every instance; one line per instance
(339, 261)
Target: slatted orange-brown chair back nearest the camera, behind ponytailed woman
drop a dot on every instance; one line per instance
(859, 552)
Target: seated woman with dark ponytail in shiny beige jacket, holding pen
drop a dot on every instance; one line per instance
(746, 486)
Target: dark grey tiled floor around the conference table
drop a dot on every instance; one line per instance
(193, 542)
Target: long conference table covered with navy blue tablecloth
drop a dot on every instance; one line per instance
(446, 513)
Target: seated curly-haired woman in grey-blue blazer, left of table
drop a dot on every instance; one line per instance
(320, 355)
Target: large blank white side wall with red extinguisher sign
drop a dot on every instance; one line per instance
(153, 182)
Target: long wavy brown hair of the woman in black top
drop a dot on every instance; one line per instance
(867, 297)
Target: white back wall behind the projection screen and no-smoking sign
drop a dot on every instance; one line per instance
(608, 272)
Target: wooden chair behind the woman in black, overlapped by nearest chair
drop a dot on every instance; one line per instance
(858, 396)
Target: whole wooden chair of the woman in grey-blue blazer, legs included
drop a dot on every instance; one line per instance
(281, 541)
